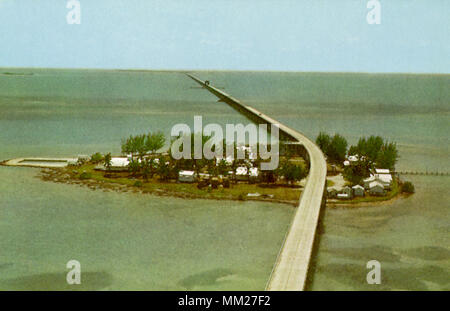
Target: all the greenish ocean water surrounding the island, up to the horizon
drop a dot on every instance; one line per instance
(129, 241)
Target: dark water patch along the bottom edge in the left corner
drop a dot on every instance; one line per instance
(57, 282)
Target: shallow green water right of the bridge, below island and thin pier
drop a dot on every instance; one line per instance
(409, 237)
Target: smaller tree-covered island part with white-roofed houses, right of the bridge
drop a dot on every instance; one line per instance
(363, 173)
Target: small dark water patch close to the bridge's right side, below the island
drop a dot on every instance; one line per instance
(366, 253)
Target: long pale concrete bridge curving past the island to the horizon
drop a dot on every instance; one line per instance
(291, 268)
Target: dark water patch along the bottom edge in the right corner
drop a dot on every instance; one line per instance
(354, 275)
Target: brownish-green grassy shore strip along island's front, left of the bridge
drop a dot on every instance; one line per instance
(236, 191)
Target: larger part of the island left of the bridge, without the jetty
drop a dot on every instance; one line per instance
(143, 168)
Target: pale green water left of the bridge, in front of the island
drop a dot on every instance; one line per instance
(127, 241)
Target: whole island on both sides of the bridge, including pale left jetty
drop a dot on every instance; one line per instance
(356, 176)
